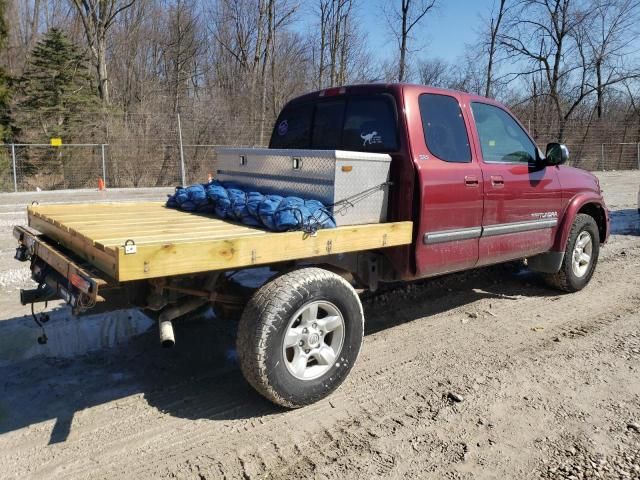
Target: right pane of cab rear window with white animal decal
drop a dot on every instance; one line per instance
(370, 125)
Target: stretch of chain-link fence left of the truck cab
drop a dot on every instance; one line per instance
(124, 150)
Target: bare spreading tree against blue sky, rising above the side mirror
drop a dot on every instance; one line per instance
(552, 36)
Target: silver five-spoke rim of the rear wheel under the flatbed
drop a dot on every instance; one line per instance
(313, 340)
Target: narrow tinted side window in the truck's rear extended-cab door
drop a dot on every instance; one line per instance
(444, 130)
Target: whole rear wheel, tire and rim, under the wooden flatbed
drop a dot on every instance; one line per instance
(300, 335)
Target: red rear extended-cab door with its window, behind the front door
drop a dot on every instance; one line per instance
(450, 183)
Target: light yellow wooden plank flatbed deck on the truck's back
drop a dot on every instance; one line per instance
(170, 242)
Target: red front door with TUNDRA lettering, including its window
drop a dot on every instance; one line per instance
(522, 199)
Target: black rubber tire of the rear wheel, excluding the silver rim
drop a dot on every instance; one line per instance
(264, 323)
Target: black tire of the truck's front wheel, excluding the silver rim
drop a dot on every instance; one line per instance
(565, 279)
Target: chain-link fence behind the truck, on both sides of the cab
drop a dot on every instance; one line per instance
(159, 150)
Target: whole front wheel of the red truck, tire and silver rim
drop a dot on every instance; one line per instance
(581, 256)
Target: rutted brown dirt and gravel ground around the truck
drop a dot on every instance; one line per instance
(548, 387)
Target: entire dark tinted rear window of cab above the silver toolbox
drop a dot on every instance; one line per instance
(356, 123)
